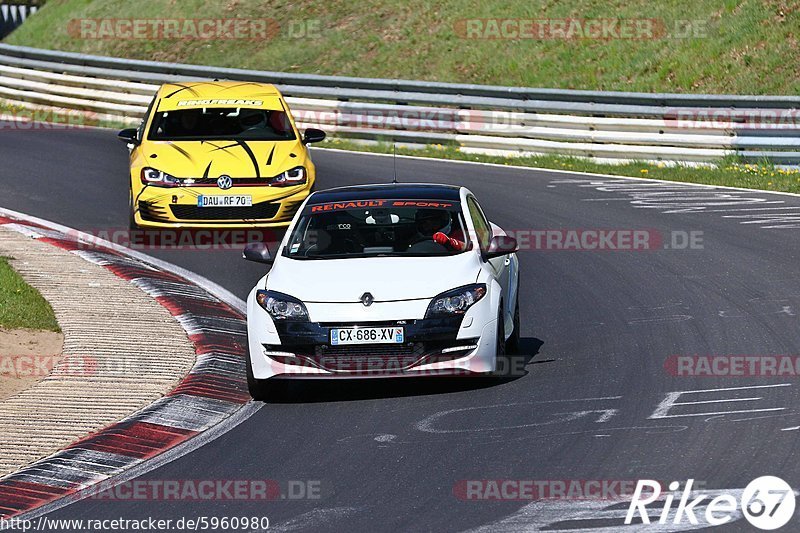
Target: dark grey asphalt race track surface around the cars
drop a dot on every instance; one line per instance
(591, 406)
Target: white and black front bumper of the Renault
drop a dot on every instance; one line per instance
(302, 350)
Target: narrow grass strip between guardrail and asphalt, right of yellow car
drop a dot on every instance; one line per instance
(729, 172)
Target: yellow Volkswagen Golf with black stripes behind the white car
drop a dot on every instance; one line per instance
(218, 153)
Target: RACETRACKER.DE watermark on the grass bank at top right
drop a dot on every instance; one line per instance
(573, 29)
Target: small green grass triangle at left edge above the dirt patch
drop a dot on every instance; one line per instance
(22, 305)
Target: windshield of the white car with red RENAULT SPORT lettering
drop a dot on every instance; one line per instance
(378, 228)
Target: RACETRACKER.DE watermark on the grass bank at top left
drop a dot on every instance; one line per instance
(199, 29)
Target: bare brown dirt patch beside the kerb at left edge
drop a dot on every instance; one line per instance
(26, 357)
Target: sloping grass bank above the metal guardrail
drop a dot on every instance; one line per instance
(715, 46)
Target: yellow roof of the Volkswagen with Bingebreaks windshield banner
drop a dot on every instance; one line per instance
(218, 94)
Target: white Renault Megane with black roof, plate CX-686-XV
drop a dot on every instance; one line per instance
(384, 280)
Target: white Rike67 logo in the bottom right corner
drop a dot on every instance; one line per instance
(767, 503)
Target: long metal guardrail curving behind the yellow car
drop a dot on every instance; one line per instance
(615, 126)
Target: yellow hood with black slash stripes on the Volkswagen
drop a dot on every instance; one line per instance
(238, 159)
